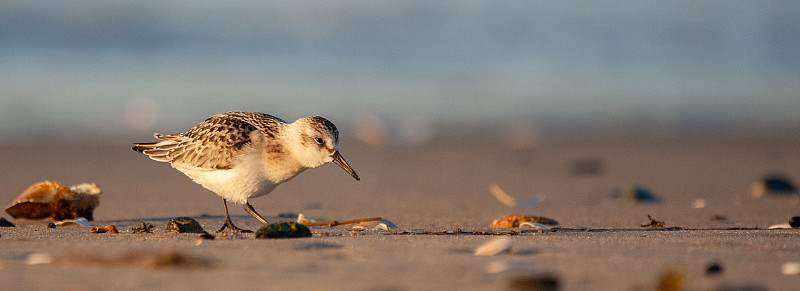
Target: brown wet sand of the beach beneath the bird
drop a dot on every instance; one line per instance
(427, 190)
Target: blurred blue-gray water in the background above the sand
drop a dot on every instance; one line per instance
(109, 69)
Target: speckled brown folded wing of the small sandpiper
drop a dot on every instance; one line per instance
(213, 143)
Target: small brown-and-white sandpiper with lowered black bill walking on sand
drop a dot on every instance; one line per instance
(239, 155)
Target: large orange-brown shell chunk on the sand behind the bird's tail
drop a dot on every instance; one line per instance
(53, 200)
